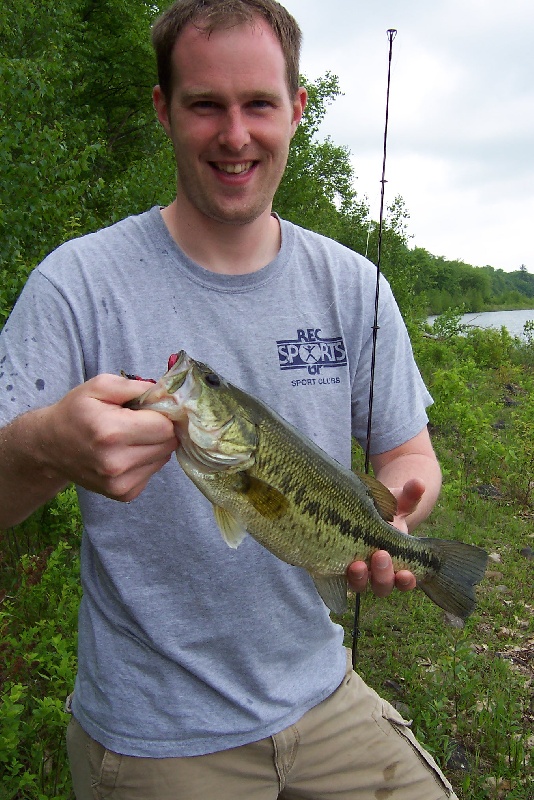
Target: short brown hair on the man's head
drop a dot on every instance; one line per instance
(211, 15)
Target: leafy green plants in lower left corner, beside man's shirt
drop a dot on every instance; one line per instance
(38, 621)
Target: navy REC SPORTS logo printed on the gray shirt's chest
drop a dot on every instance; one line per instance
(312, 352)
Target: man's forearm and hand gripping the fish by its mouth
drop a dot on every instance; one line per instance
(86, 438)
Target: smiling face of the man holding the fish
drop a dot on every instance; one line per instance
(230, 120)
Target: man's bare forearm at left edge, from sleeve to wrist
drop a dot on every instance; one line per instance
(26, 479)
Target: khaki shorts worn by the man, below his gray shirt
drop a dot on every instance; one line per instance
(352, 745)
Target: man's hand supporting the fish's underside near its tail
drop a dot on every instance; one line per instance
(381, 574)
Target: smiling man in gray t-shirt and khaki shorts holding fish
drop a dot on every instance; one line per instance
(205, 672)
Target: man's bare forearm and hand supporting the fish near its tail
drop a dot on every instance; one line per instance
(412, 472)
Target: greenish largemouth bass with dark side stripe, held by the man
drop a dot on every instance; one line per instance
(265, 478)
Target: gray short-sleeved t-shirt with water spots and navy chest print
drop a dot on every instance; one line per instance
(187, 647)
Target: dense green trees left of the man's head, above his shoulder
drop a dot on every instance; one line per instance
(76, 123)
